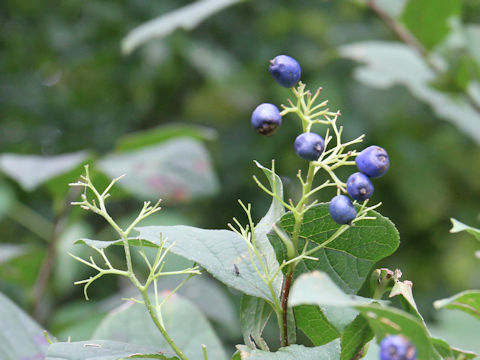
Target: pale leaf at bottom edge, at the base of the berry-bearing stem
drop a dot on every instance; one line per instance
(330, 351)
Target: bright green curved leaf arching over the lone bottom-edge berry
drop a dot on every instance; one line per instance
(387, 321)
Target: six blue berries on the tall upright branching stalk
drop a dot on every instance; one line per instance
(372, 162)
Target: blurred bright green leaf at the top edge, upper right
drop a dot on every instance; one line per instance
(428, 20)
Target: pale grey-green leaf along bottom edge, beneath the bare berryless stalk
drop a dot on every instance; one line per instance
(104, 350)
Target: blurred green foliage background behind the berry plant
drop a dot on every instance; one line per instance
(65, 87)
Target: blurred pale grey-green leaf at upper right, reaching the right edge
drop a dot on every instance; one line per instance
(388, 64)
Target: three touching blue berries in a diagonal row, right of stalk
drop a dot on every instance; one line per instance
(371, 162)
